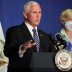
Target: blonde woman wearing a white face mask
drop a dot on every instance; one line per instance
(66, 31)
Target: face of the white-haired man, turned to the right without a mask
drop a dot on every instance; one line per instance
(34, 15)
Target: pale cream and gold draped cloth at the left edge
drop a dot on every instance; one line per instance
(3, 59)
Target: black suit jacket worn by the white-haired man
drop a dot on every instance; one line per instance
(18, 35)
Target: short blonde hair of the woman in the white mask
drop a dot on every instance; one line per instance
(66, 15)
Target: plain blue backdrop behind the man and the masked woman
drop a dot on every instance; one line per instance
(11, 13)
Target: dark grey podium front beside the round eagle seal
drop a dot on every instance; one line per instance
(43, 61)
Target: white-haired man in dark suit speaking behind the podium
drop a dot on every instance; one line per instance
(20, 42)
